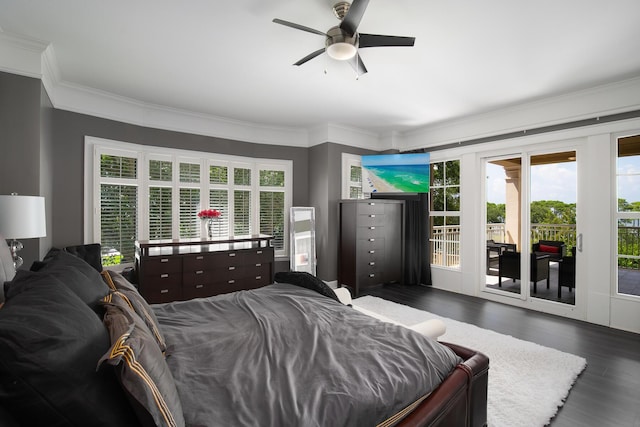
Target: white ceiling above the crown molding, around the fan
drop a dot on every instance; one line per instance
(229, 60)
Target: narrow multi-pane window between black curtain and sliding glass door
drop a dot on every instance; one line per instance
(445, 214)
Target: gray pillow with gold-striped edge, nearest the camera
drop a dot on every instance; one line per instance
(140, 367)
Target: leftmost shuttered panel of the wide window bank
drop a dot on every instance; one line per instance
(118, 208)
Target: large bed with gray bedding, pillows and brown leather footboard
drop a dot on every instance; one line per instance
(82, 347)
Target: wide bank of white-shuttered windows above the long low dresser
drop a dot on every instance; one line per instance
(151, 193)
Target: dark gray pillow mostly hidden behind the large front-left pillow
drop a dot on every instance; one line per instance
(75, 273)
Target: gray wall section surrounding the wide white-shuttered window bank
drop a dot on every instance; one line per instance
(71, 128)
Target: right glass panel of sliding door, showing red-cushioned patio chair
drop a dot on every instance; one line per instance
(552, 228)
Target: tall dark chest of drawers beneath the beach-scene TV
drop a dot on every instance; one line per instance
(371, 245)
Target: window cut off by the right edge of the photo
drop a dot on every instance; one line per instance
(628, 215)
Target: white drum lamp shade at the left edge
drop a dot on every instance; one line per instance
(22, 217)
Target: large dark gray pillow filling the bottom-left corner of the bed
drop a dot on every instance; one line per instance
(50, 343)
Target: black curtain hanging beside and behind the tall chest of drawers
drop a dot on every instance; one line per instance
(417, 256)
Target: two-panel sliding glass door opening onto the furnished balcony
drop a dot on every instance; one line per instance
(530, 226)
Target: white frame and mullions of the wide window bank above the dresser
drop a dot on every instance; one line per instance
(95, 147)
